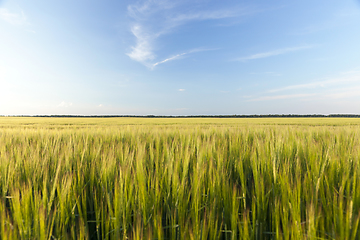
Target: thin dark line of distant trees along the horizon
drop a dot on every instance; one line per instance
(199, 116)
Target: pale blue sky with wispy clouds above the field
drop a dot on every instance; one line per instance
(183, 57)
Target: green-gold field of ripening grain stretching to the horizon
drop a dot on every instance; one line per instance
(171, 178)
